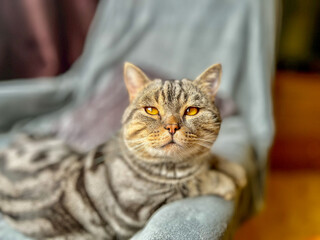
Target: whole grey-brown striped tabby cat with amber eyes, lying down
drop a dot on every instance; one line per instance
(161, 154)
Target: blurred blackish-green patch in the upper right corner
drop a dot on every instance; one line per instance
(299, 47)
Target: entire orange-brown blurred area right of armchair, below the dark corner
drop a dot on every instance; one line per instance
(292, 210)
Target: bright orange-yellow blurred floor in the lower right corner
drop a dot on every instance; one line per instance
(292, 210)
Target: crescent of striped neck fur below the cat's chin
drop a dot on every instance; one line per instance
(163, 170)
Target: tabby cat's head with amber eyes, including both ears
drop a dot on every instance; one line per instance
(171, 119)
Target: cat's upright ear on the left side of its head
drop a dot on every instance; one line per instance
(135, 79)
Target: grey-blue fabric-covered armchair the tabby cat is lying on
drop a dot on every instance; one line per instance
(176, 39)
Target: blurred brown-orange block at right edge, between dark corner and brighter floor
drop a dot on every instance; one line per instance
(297, 119)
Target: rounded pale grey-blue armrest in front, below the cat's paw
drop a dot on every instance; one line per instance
(206, 217)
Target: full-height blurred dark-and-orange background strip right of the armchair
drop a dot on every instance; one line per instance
(292, 209)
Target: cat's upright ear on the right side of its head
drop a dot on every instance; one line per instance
(209, 80)
